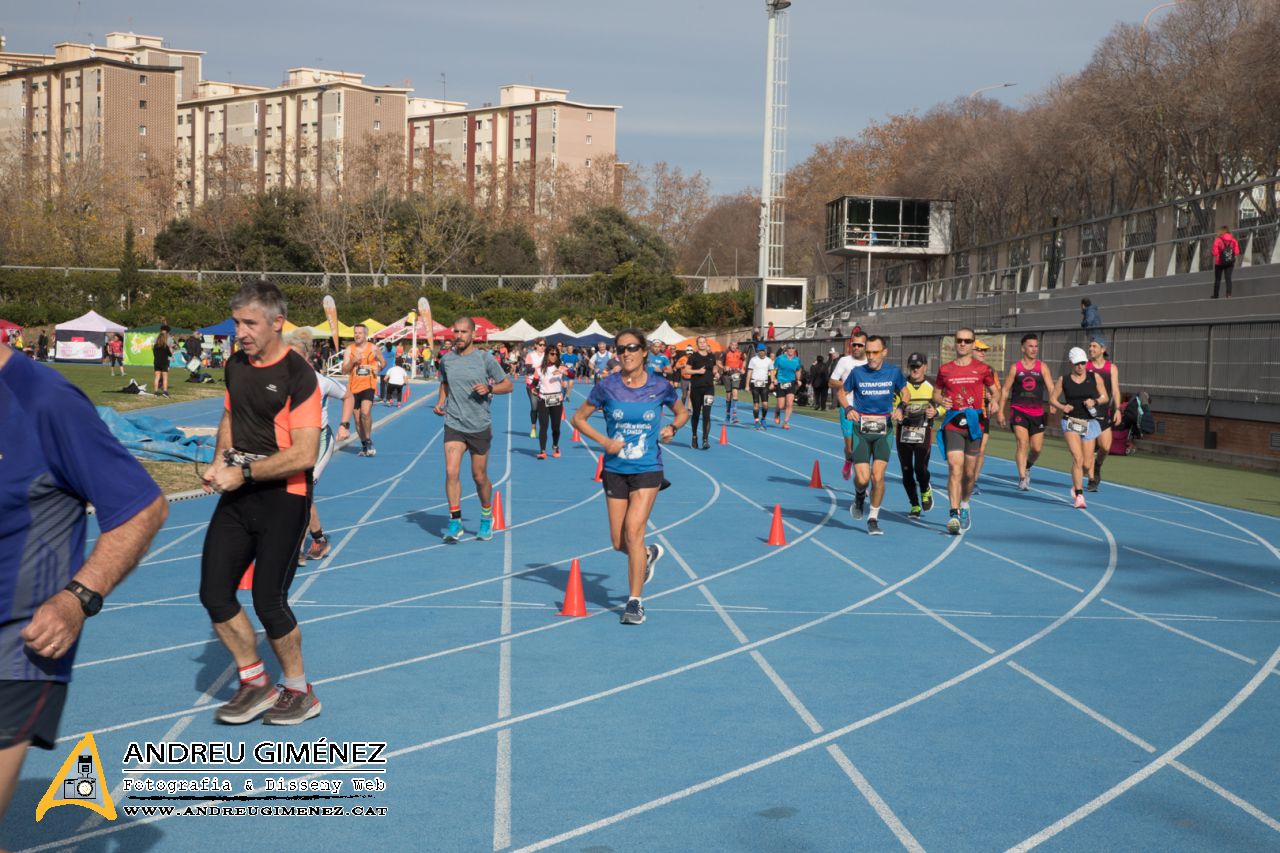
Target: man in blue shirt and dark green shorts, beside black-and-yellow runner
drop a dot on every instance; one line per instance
(867, 399)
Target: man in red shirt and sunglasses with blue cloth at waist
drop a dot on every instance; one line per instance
(967, 389)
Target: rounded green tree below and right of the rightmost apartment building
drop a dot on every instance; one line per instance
(604, 239)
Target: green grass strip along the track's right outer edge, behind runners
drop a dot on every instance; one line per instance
(1240, 489)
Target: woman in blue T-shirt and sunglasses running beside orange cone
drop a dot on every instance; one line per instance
(632, 403)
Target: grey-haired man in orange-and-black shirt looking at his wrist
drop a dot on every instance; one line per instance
(267, 448)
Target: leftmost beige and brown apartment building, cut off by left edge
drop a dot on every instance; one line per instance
(112, 106)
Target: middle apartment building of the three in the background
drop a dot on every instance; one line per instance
(237, 138)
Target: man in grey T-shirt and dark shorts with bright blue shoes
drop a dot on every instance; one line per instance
(469, 380)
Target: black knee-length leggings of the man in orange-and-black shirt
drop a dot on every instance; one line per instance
(263, 526)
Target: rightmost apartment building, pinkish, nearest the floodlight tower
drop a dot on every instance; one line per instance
(531, 130)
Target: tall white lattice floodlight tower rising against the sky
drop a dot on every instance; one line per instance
(774, 180)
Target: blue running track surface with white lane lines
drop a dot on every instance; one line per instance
(1085, 681)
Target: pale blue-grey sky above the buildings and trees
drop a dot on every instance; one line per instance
(688, 74)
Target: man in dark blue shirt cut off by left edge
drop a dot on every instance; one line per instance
(56, 458)
